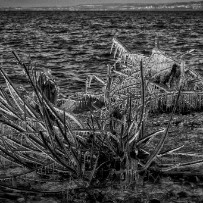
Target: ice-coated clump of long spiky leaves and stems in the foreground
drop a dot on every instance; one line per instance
(106, 144)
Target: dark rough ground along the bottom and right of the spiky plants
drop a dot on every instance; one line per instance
(182, 185)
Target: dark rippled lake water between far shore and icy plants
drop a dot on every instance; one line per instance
(76, 44)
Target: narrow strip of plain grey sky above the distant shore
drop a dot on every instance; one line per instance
(42, 3)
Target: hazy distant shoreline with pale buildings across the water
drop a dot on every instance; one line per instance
(179, 6)
